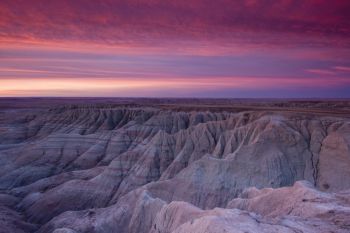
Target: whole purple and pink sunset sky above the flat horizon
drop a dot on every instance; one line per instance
(182, 48)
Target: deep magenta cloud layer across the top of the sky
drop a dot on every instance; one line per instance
(148, 22)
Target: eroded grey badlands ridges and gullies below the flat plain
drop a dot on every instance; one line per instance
(172, 168)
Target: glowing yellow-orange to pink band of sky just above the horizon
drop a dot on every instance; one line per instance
(143, 87)
